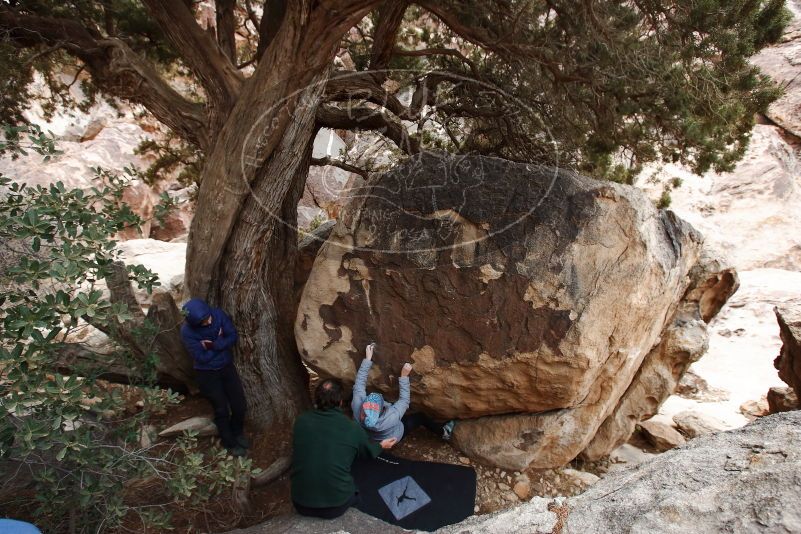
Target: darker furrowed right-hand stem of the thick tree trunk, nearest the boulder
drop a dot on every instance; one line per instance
(257, 285)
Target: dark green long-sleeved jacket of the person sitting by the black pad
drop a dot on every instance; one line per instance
(325, 443)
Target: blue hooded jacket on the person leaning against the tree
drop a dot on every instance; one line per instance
(220, 332)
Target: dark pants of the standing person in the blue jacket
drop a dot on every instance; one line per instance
(224, 390)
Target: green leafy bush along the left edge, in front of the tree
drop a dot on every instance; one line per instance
(71, 444)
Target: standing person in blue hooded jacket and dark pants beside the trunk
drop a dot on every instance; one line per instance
(209, 336)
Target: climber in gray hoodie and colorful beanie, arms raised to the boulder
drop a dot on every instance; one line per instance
(382, 419)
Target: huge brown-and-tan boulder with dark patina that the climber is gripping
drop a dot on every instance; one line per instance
(514, 290)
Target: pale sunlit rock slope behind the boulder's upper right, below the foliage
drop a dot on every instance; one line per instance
(753, 212)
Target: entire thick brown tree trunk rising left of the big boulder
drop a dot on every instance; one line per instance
(243, 241)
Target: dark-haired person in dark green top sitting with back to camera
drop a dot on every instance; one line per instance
(325, 443)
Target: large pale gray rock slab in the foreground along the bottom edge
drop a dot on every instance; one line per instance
(744, 480)
